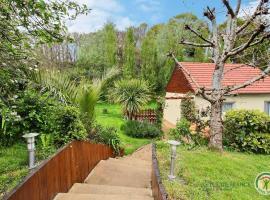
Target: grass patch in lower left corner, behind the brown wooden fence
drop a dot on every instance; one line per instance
(13, 167)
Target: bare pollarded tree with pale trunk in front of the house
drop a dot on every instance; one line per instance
(224, 46)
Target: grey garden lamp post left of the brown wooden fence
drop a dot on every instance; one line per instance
(30, 138)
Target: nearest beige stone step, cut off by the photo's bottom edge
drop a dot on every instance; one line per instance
(69, 196)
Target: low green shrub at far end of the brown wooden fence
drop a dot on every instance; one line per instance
(106, 135)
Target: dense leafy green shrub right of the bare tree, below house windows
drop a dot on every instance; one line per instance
(247, 130)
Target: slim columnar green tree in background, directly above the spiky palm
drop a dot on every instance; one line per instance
(129, 64)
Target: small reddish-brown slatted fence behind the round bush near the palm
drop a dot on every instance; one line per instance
(149, 115)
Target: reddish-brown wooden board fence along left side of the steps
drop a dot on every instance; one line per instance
(70, 165)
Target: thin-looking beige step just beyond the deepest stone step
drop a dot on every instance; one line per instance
(131, 162)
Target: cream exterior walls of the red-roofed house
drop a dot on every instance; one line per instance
(243, 101)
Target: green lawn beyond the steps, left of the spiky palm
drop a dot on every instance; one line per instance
(115, 119)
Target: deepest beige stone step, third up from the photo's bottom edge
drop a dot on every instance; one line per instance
(117, 174)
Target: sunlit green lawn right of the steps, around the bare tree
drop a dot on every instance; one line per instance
(211, 175)
